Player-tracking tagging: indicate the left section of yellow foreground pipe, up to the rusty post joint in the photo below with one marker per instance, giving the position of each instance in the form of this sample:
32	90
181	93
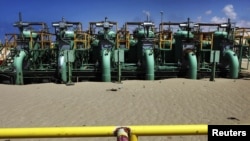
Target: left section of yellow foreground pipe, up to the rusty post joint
48	132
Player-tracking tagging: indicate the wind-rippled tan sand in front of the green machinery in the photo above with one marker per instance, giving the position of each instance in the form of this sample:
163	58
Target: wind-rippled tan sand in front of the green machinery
161	102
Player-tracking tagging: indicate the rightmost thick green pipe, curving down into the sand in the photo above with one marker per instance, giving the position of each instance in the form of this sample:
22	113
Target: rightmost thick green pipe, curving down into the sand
234	63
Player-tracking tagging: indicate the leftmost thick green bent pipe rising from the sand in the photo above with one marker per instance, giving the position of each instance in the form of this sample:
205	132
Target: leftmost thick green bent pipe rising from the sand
18	64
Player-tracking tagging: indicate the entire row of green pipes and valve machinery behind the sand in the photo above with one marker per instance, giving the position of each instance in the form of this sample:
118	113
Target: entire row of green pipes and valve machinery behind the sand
141	55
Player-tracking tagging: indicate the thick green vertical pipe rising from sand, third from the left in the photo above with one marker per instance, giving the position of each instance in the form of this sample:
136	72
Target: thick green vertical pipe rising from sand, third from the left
106	71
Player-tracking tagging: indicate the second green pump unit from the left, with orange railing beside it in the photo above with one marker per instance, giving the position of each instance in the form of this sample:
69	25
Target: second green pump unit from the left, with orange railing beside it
72	49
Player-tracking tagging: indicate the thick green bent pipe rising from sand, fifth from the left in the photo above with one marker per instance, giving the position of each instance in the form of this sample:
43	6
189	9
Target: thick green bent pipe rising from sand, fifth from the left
192	71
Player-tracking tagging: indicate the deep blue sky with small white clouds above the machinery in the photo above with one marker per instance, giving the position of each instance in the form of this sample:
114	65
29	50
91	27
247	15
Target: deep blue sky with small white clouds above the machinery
121	11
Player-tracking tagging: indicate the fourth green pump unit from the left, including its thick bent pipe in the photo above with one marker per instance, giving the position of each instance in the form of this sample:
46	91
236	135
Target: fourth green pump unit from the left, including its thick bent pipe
136	50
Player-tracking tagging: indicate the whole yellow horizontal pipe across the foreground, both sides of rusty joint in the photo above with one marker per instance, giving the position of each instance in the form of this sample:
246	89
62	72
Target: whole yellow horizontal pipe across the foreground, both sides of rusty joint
103	131
